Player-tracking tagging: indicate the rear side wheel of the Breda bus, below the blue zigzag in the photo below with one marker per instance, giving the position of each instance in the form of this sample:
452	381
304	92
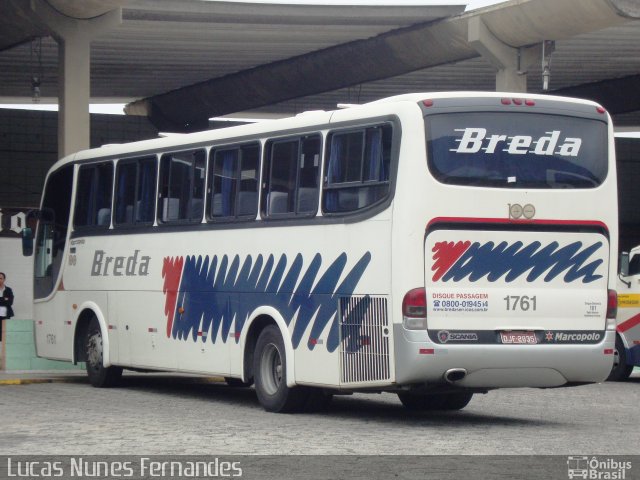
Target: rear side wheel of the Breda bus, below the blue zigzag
269	370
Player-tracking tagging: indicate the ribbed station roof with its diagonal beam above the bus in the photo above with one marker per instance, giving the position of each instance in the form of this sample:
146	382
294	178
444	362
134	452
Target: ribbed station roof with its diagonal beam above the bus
180	62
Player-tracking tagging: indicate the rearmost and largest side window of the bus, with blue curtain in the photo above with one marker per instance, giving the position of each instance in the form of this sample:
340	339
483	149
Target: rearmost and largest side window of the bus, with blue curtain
357	168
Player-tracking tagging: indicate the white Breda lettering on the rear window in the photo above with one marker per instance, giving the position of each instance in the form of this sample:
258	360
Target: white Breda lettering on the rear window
474	140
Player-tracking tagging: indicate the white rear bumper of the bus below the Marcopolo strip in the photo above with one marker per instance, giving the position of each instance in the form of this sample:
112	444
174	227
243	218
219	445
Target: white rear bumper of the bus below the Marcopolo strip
420	361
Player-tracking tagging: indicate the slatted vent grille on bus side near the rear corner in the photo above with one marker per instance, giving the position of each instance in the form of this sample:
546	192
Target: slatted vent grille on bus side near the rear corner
364	339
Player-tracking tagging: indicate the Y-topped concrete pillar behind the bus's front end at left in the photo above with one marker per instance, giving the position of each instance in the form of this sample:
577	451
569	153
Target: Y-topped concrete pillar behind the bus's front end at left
74	79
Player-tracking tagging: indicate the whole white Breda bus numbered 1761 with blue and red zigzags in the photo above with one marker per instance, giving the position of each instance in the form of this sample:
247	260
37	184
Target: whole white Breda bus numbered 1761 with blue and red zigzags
432	245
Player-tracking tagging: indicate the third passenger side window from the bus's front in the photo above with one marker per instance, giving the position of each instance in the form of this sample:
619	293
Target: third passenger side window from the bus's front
182	176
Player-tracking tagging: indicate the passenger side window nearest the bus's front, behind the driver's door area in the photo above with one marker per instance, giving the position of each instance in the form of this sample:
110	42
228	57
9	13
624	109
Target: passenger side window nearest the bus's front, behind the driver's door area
93	197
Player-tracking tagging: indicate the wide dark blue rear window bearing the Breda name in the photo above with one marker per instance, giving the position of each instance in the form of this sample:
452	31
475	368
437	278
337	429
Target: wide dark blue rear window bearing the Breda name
517	150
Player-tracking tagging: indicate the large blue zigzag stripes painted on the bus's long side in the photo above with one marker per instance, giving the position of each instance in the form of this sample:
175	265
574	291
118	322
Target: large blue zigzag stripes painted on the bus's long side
218	291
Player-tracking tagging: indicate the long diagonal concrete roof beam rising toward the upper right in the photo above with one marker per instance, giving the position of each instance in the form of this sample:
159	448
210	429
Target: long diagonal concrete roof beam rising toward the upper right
517	23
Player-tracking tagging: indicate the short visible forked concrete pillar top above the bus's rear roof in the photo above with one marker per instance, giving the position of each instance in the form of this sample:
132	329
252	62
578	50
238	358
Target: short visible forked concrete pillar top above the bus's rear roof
511	63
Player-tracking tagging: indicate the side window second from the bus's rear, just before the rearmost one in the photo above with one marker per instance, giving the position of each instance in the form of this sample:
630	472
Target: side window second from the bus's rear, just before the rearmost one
291	180
